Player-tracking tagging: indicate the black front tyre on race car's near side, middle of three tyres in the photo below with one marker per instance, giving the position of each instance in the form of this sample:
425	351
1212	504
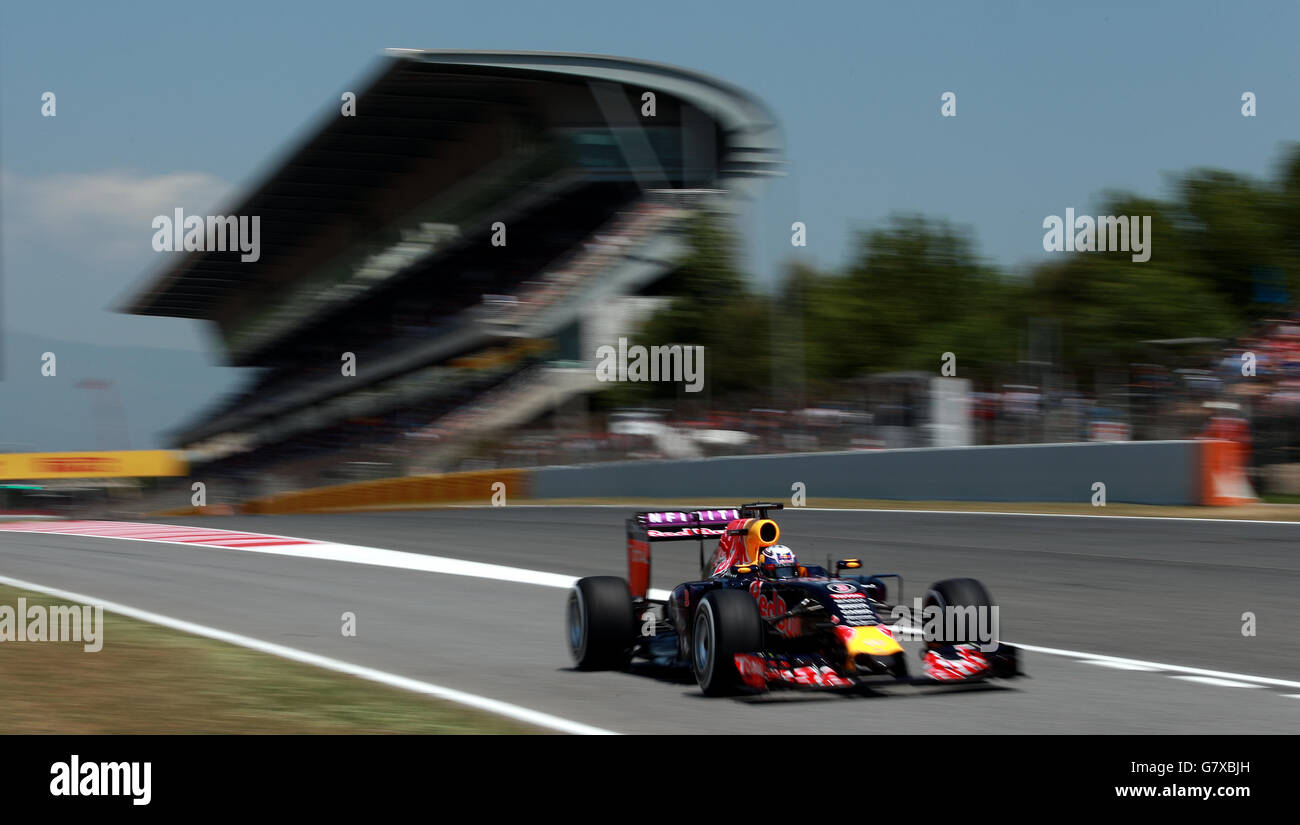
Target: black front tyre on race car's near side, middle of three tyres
727	623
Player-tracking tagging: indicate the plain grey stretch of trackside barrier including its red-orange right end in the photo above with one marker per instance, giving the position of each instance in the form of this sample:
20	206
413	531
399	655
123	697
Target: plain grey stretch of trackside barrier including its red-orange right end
1133	472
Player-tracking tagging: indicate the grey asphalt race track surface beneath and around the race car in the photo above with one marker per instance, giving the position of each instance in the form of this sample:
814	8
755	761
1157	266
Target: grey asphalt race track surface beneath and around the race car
1163	592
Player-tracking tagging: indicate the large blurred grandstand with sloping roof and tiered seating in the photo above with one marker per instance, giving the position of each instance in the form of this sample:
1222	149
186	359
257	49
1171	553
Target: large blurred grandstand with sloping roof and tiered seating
380	238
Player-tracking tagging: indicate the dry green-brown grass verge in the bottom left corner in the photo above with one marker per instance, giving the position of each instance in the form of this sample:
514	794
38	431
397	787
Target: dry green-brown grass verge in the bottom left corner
153	680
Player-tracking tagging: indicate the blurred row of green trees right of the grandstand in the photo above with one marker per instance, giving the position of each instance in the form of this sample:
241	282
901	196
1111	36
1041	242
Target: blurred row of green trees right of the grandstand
1225	254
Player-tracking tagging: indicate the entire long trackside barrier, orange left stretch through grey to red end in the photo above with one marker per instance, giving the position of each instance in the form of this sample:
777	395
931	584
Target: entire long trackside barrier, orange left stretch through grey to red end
1177	474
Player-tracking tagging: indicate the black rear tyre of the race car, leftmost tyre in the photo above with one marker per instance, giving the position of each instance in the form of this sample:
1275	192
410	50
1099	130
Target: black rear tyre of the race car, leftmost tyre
601	623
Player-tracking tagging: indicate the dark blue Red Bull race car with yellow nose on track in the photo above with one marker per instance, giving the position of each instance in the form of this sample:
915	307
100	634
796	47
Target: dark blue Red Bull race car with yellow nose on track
760	619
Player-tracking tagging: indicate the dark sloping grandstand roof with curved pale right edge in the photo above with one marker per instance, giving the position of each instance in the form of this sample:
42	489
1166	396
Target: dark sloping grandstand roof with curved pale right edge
421	110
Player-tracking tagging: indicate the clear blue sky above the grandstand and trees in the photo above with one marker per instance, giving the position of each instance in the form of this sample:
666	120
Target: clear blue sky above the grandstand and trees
164	106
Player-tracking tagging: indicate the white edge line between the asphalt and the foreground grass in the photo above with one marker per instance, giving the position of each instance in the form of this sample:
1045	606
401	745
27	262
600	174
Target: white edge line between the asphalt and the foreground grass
483	704
